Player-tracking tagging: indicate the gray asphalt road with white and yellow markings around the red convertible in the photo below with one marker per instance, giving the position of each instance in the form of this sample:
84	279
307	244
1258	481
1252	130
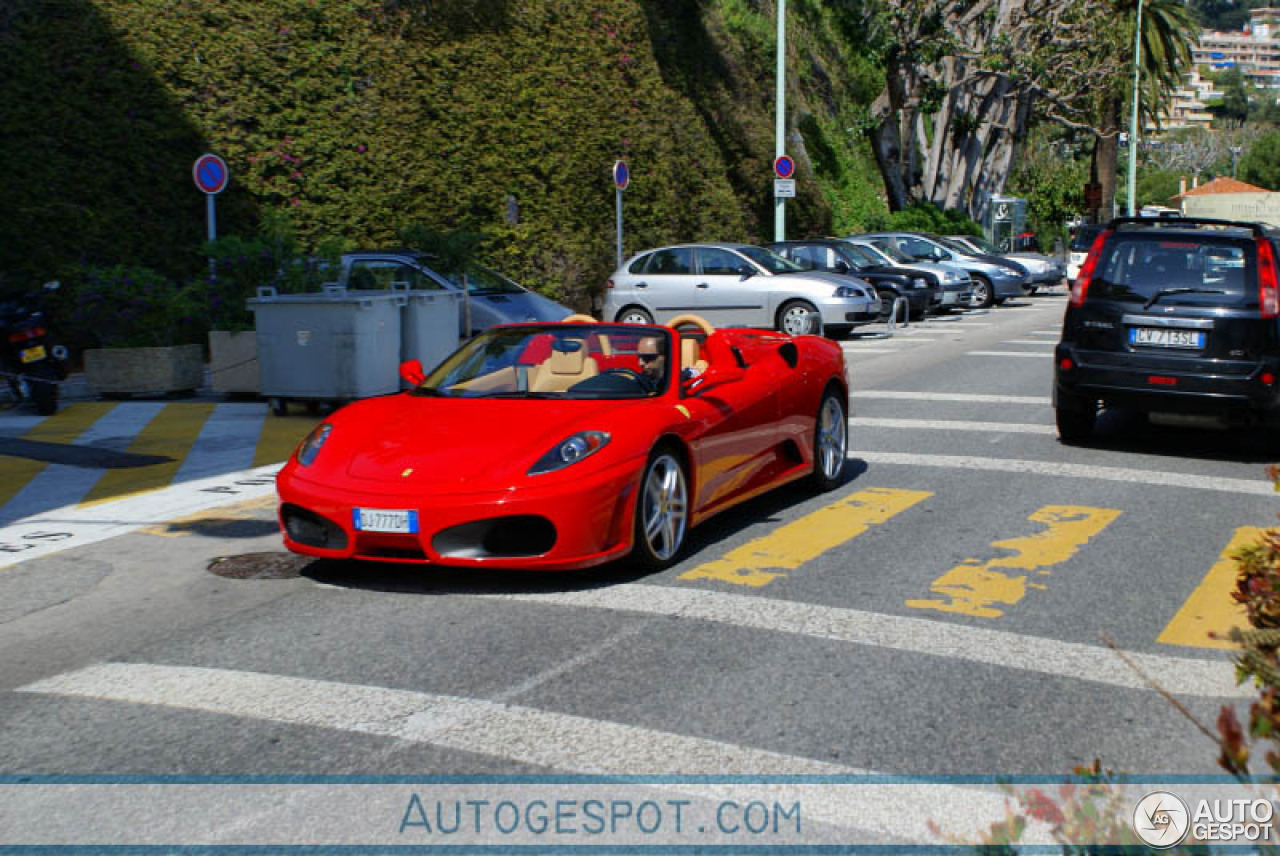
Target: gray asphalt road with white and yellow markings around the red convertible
947	611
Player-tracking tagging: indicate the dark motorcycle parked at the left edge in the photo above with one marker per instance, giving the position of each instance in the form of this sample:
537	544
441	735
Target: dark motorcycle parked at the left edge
30	363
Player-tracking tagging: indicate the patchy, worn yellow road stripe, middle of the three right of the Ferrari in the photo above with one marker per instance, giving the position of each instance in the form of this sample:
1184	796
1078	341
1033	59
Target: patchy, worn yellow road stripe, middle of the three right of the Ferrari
977	588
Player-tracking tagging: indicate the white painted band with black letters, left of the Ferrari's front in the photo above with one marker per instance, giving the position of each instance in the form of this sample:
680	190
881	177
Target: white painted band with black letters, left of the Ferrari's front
74	527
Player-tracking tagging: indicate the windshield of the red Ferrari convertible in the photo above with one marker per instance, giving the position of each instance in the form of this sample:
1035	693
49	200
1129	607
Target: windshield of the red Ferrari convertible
569	361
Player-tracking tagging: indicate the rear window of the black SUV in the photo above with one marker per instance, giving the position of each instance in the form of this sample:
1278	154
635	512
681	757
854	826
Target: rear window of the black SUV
1140	267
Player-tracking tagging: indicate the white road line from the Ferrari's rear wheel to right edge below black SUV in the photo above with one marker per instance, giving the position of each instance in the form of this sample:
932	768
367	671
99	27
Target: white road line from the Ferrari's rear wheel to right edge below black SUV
1252	487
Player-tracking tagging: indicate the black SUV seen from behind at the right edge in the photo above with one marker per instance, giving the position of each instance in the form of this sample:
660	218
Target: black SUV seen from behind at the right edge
1172	317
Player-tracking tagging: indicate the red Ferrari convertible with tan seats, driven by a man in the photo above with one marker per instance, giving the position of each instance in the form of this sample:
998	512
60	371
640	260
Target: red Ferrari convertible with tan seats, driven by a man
559	446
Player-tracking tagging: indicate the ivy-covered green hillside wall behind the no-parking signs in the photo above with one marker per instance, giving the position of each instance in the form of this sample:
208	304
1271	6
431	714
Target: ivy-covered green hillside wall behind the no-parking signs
356	118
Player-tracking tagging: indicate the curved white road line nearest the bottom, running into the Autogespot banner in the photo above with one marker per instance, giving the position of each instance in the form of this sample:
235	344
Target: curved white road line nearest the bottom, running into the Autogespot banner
546	739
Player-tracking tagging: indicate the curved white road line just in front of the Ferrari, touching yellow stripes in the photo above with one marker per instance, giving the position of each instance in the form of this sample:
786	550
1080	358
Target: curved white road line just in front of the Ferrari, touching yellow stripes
948	642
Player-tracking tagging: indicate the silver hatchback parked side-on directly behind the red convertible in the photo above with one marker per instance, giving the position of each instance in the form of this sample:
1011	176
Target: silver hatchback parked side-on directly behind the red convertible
734	285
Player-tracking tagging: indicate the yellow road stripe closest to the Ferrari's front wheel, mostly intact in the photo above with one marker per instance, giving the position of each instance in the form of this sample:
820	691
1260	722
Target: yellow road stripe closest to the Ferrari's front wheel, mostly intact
761	562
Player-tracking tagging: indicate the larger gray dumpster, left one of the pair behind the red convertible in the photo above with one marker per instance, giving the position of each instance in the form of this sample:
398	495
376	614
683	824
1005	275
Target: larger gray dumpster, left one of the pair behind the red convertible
327	347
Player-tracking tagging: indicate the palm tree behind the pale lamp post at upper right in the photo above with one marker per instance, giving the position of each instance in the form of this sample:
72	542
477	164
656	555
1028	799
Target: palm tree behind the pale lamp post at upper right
1168	30
